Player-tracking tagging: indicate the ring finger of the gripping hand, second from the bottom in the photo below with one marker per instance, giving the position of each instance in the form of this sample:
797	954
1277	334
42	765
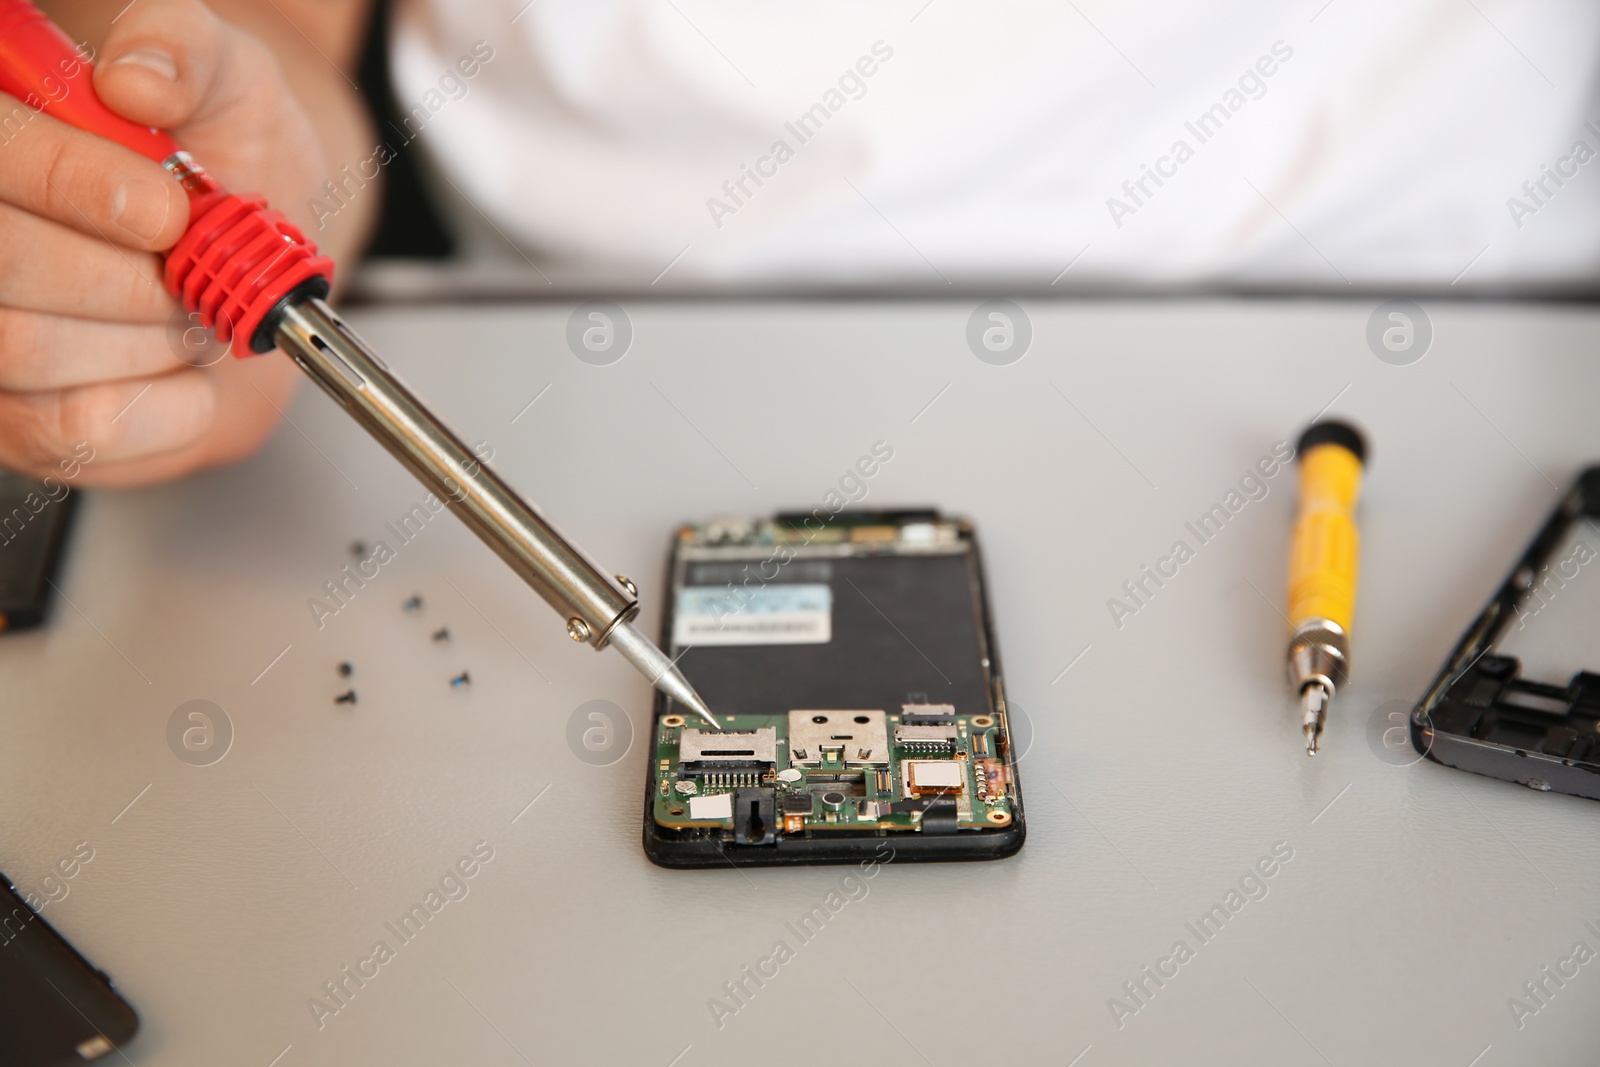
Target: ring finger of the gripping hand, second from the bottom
46	353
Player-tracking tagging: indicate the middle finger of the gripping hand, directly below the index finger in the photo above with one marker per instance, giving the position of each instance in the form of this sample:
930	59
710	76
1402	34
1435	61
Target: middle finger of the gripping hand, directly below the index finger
49	268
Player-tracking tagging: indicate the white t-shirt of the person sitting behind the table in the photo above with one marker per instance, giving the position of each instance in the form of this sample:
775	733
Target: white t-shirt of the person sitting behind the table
1311	145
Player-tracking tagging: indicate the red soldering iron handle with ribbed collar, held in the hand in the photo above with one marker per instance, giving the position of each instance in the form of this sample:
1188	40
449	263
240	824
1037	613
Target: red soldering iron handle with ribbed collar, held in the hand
239	262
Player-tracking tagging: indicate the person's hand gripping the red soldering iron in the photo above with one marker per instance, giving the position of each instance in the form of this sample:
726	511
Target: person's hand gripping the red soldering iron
92	348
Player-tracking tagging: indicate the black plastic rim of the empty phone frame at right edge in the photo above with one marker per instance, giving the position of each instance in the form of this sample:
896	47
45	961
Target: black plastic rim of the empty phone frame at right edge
1479	716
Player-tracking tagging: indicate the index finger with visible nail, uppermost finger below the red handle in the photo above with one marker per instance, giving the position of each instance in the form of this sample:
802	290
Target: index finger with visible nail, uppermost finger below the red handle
87	183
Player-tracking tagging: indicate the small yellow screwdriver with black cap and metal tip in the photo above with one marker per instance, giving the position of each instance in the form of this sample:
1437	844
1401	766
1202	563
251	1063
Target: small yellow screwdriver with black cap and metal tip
1324	561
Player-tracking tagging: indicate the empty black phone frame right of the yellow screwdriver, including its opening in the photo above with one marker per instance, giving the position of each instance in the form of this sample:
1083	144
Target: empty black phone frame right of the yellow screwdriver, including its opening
1482	714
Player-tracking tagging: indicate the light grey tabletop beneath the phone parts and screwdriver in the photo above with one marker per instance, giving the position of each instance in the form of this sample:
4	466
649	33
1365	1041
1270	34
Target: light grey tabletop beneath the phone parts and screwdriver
1164	761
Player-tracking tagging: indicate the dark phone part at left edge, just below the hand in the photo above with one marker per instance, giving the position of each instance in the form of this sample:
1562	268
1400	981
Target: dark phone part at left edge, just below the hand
34	522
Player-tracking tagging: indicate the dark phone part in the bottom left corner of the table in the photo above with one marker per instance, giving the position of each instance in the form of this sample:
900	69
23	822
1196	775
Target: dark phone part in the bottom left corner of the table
55	1007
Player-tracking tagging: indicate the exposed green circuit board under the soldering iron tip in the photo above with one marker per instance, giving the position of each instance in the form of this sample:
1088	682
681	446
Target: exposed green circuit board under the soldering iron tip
825	772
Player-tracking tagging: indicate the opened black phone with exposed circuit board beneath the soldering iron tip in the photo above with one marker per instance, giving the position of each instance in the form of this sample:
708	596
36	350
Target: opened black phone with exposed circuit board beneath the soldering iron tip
850	661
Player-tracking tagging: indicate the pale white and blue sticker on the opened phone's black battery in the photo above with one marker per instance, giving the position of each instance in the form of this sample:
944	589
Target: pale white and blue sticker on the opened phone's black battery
801	613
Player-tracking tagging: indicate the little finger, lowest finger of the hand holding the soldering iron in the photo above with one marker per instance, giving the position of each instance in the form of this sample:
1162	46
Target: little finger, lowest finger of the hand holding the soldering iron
121	422
